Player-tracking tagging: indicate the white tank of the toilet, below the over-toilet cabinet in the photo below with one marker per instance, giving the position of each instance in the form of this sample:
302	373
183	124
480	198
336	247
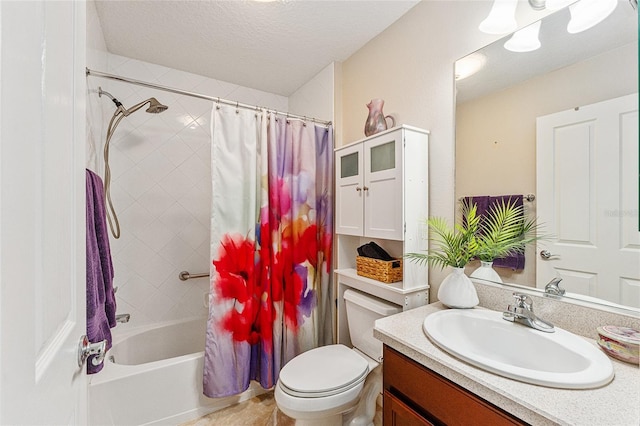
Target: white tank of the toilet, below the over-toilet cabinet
362	311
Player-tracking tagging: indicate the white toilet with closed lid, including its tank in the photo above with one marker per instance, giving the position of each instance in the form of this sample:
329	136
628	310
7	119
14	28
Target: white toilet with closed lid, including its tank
334	384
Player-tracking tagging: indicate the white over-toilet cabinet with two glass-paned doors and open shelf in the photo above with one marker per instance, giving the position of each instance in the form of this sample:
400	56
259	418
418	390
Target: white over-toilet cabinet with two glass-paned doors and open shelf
382	196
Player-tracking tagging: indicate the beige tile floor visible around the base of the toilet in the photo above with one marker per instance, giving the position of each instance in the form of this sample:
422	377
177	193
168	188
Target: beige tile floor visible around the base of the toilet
258	411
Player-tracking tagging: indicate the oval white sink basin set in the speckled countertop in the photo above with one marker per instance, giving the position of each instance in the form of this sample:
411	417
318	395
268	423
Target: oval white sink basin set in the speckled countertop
482	338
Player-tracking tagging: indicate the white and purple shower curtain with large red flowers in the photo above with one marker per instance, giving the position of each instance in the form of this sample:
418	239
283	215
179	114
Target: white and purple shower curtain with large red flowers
271	241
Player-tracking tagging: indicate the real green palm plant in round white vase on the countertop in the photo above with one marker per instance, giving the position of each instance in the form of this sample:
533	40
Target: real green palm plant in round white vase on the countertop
454	247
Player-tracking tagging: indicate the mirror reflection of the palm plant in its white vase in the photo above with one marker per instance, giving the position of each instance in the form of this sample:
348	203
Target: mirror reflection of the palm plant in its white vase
504	231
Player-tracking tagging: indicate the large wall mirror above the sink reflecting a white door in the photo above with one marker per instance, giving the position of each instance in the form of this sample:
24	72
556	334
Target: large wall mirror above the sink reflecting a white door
499	111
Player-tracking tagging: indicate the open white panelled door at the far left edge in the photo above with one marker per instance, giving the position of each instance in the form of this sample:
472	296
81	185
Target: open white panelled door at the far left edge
42	217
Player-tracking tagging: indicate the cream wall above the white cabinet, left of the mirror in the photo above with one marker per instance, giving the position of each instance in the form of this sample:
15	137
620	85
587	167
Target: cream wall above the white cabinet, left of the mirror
410	66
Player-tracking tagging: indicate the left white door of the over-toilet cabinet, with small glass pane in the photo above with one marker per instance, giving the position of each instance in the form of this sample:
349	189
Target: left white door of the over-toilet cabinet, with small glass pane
349	190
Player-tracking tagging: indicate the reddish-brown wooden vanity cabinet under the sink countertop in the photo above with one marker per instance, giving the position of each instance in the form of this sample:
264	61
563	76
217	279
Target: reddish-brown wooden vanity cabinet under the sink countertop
415	395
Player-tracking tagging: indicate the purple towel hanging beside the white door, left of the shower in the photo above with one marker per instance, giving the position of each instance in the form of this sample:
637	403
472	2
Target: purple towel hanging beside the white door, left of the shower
101	302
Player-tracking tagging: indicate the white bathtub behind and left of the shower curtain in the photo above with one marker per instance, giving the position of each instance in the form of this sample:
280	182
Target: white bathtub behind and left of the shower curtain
153	376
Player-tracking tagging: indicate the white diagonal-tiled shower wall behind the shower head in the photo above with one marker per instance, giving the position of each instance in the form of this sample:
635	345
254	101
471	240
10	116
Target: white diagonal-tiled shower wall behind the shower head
161	185
